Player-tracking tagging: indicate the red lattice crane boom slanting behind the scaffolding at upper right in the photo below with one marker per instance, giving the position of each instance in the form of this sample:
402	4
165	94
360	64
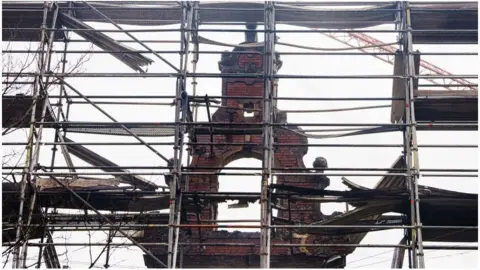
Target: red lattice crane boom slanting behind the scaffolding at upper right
369	44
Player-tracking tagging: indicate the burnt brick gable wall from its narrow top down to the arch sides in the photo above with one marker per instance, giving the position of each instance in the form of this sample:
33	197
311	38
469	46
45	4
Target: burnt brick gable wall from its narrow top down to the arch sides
285	157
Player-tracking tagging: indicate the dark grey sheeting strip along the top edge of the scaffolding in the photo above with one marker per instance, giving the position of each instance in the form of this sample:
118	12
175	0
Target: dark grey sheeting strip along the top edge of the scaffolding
425	17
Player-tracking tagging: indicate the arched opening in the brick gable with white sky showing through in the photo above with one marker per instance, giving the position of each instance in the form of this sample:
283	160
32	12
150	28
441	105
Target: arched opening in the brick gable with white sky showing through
238	210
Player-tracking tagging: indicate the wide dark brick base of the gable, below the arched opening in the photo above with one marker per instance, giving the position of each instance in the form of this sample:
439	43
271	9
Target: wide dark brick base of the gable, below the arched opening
223	249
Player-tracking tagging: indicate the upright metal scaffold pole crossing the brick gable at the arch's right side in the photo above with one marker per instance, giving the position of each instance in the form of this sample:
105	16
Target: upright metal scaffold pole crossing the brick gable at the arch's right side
268	60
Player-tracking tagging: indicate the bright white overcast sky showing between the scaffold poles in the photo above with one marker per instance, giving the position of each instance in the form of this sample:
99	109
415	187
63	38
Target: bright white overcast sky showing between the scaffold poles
299	65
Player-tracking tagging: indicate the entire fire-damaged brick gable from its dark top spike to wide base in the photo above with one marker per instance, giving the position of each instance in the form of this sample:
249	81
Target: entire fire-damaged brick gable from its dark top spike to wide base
211	248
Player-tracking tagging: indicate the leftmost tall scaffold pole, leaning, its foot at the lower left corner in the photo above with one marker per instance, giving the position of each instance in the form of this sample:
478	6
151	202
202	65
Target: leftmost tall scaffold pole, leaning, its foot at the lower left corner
20	261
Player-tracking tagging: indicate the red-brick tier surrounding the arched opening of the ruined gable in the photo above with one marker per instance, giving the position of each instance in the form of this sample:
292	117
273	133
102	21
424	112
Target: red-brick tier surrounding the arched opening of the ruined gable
291	157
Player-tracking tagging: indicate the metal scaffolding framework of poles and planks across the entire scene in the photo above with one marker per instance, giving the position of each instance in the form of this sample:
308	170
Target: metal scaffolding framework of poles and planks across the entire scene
42	188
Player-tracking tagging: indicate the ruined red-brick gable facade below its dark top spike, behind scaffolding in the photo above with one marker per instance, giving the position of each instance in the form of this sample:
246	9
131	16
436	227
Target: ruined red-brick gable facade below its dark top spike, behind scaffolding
286	157
